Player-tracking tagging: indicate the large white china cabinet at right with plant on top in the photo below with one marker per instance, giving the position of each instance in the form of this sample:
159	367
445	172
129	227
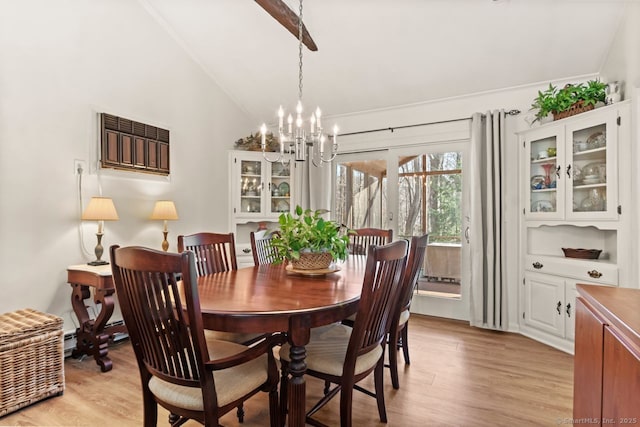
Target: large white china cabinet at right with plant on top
575	191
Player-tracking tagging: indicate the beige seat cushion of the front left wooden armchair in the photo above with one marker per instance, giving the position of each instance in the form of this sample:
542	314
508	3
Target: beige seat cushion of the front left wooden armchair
231	384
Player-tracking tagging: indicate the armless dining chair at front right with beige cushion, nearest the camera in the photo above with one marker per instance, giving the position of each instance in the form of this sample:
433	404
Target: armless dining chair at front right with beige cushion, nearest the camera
344	356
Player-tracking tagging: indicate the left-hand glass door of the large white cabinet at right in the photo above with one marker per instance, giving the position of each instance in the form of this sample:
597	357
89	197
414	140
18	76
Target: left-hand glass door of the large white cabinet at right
544	166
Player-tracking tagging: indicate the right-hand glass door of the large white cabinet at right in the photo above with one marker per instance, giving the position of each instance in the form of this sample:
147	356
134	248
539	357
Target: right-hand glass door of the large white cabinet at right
592	148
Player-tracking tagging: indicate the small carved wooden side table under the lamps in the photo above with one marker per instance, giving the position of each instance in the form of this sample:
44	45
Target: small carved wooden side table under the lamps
92	335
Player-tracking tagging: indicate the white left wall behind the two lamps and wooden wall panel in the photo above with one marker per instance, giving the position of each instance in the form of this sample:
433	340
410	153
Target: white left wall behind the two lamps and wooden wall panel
61	63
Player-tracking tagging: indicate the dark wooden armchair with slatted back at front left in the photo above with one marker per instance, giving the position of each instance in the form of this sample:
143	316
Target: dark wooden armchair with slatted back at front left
190	376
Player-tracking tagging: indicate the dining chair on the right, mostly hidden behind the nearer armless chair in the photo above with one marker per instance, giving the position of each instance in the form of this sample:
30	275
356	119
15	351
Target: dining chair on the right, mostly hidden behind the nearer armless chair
398	331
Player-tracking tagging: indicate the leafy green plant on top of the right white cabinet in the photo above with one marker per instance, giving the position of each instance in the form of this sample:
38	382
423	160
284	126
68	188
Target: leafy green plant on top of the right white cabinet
571	99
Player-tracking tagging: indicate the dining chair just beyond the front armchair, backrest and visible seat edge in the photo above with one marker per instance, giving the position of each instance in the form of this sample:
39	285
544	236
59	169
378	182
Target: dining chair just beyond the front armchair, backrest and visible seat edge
215	253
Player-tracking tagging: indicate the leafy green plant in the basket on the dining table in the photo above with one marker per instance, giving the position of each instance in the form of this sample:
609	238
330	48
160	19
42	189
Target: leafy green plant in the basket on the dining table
308	231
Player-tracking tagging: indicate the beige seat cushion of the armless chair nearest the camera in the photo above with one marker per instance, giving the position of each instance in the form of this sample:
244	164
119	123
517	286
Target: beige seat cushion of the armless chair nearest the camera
327	349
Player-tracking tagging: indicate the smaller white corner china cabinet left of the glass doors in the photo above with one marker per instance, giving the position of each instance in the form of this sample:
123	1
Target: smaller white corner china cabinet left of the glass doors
259	192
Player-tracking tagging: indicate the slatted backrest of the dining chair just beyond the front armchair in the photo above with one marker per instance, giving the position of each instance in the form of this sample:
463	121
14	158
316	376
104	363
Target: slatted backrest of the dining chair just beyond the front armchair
215	252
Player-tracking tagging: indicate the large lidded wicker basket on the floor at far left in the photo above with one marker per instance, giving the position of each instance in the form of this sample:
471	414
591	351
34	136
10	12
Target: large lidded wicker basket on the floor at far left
31	358
